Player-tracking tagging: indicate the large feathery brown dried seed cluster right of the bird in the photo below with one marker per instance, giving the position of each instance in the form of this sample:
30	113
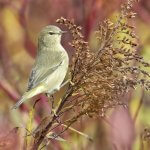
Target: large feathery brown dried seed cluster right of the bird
101	78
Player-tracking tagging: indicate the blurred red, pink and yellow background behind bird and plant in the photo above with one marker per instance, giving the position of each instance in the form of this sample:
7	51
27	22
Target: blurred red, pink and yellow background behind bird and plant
20	22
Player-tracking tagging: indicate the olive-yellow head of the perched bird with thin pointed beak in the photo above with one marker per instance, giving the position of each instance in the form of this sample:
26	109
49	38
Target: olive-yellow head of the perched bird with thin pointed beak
50	35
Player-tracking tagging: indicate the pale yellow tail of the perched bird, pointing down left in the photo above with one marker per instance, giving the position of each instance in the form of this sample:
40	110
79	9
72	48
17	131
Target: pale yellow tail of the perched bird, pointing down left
28	95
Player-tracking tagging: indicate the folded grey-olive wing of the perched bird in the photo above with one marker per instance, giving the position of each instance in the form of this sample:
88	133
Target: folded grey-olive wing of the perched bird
41	71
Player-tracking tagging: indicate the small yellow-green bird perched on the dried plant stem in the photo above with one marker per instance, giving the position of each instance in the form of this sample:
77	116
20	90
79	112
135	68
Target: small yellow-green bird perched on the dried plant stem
50	67
